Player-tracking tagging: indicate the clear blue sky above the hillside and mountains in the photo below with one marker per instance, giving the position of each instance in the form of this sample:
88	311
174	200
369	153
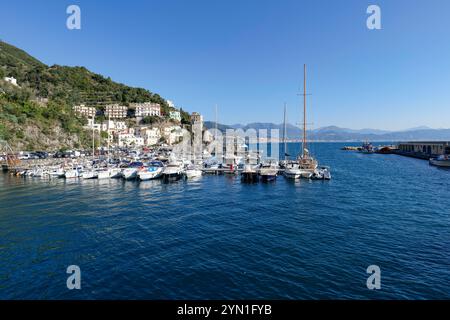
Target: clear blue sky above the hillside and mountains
247	55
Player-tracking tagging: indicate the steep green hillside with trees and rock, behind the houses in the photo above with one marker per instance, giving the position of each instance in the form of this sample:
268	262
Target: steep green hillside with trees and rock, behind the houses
38	114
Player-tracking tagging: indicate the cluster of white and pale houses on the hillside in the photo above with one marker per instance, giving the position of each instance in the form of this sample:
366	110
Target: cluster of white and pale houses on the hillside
138	134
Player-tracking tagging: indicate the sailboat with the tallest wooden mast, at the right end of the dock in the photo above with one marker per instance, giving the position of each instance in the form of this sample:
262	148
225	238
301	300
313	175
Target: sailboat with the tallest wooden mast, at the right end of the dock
306	166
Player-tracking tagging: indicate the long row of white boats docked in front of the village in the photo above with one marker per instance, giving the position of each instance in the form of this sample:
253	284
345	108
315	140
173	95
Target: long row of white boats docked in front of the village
174	169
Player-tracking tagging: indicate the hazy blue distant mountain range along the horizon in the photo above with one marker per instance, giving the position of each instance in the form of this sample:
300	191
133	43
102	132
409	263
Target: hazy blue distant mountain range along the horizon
334	133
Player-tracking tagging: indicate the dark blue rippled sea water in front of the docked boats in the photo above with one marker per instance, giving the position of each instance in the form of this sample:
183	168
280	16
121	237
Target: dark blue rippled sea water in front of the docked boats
217	238
